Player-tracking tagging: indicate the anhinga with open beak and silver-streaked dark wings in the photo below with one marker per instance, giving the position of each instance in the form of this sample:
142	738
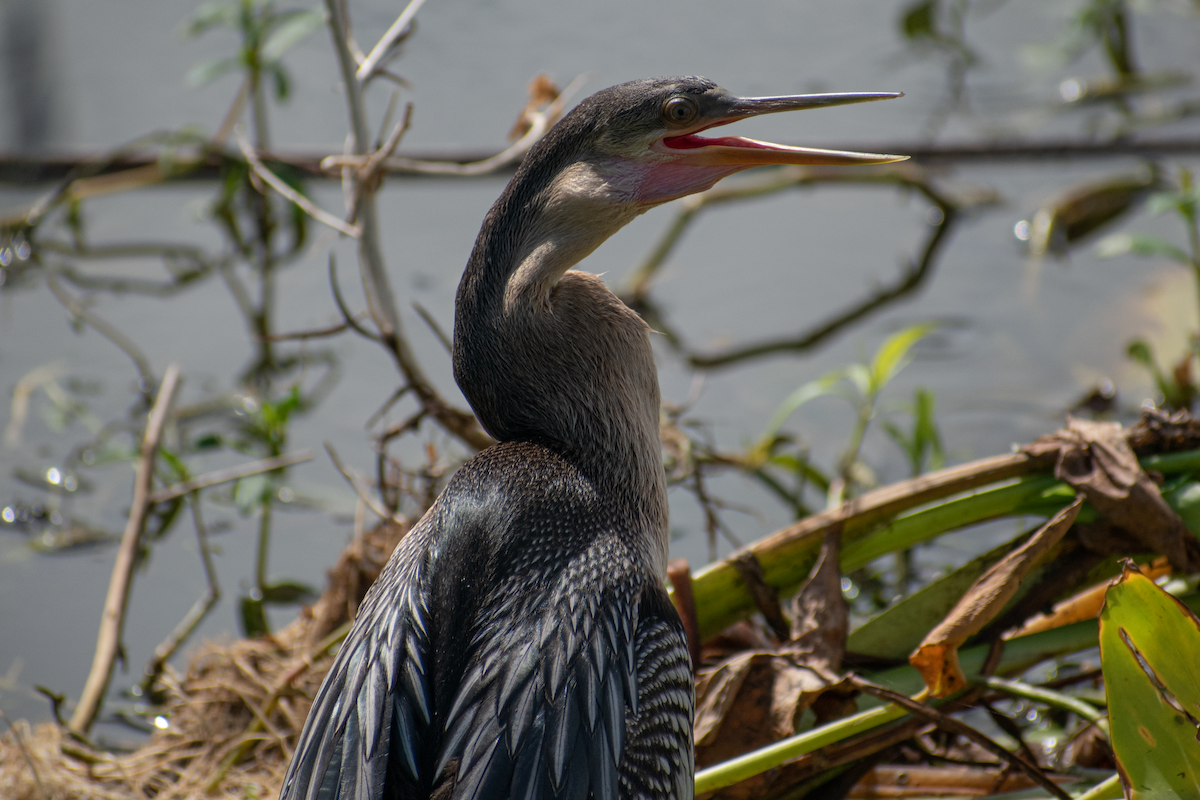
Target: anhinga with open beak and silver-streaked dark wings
520	642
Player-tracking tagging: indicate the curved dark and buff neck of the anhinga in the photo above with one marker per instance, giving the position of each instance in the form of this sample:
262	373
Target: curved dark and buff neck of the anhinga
553	357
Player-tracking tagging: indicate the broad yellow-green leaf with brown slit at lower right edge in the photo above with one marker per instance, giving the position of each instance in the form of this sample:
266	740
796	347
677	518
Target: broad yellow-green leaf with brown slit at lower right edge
1149	647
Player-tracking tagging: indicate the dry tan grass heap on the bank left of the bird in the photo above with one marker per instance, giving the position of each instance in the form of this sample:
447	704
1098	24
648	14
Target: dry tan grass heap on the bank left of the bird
235	715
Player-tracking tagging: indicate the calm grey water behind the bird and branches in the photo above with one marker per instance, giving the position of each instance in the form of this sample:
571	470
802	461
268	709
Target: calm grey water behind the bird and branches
1019	342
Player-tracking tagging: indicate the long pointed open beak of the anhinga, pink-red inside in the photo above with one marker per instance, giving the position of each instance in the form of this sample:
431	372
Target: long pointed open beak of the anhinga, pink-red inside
740	152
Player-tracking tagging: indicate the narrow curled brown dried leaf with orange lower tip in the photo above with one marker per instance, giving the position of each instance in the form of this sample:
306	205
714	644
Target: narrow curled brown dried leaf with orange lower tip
938	657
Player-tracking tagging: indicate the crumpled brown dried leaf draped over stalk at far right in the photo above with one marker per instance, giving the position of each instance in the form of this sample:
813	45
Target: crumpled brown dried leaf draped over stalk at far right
1096	459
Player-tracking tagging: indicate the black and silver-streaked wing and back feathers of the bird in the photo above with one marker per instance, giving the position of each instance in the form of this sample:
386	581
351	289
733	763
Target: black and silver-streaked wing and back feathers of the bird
562	672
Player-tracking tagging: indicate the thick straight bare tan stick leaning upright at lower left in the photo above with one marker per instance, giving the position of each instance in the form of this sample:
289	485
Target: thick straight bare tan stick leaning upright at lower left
113	619
